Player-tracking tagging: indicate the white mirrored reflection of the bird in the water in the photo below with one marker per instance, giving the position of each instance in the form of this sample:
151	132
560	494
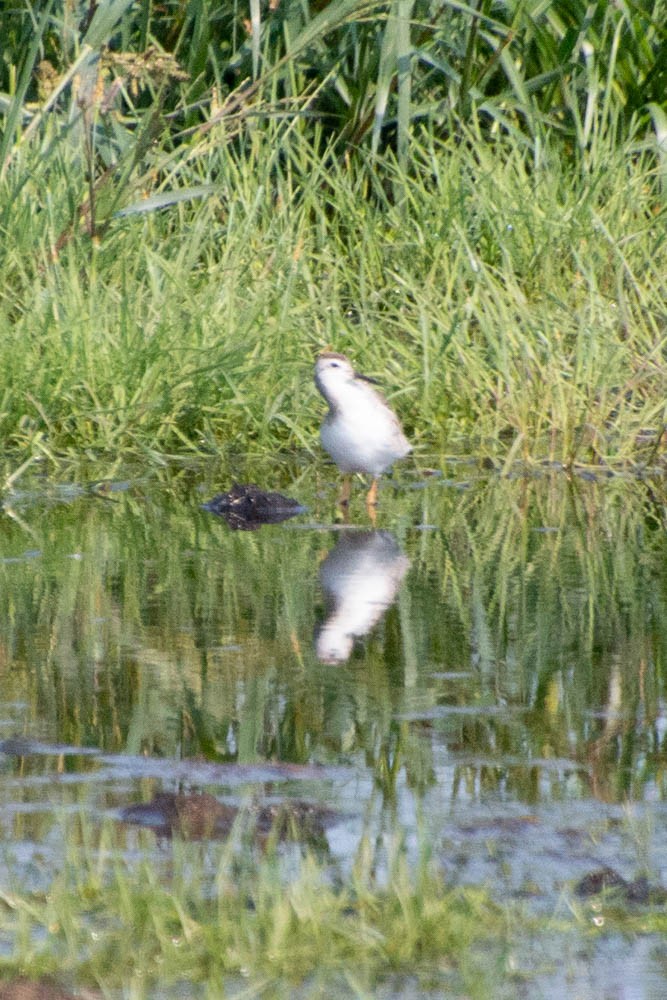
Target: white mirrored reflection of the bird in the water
360	578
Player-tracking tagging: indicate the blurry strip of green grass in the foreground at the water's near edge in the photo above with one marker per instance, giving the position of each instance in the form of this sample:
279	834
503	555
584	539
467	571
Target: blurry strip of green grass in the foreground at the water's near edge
208	919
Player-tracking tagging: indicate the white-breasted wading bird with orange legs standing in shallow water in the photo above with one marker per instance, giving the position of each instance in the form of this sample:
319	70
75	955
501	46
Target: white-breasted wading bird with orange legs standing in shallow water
360	430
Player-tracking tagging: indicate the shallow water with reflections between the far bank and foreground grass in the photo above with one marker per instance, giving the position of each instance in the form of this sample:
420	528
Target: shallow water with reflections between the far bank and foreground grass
488	662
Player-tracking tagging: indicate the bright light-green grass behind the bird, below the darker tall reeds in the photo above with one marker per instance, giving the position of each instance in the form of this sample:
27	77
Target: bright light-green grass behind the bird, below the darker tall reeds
504	299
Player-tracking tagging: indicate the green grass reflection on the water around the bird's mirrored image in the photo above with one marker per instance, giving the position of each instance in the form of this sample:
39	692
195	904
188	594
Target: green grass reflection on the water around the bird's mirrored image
173	635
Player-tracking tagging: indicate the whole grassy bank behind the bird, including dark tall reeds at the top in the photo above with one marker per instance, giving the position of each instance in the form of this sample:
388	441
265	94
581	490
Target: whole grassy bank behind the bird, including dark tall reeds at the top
469	201
